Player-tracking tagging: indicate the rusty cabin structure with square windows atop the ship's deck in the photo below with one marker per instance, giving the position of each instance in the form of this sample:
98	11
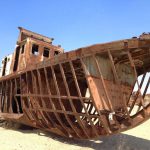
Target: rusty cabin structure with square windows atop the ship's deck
31	48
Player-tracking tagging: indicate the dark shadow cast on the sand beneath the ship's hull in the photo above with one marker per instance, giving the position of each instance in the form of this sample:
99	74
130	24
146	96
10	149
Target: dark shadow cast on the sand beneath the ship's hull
115	142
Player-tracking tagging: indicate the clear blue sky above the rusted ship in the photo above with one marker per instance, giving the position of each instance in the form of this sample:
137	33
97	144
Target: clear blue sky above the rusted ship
73	23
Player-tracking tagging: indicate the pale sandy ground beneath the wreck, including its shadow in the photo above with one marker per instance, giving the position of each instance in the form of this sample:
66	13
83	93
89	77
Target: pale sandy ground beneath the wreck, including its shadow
135	139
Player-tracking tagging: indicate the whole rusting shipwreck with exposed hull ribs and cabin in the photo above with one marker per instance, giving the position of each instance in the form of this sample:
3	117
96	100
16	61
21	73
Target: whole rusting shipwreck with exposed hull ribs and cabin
86	93
